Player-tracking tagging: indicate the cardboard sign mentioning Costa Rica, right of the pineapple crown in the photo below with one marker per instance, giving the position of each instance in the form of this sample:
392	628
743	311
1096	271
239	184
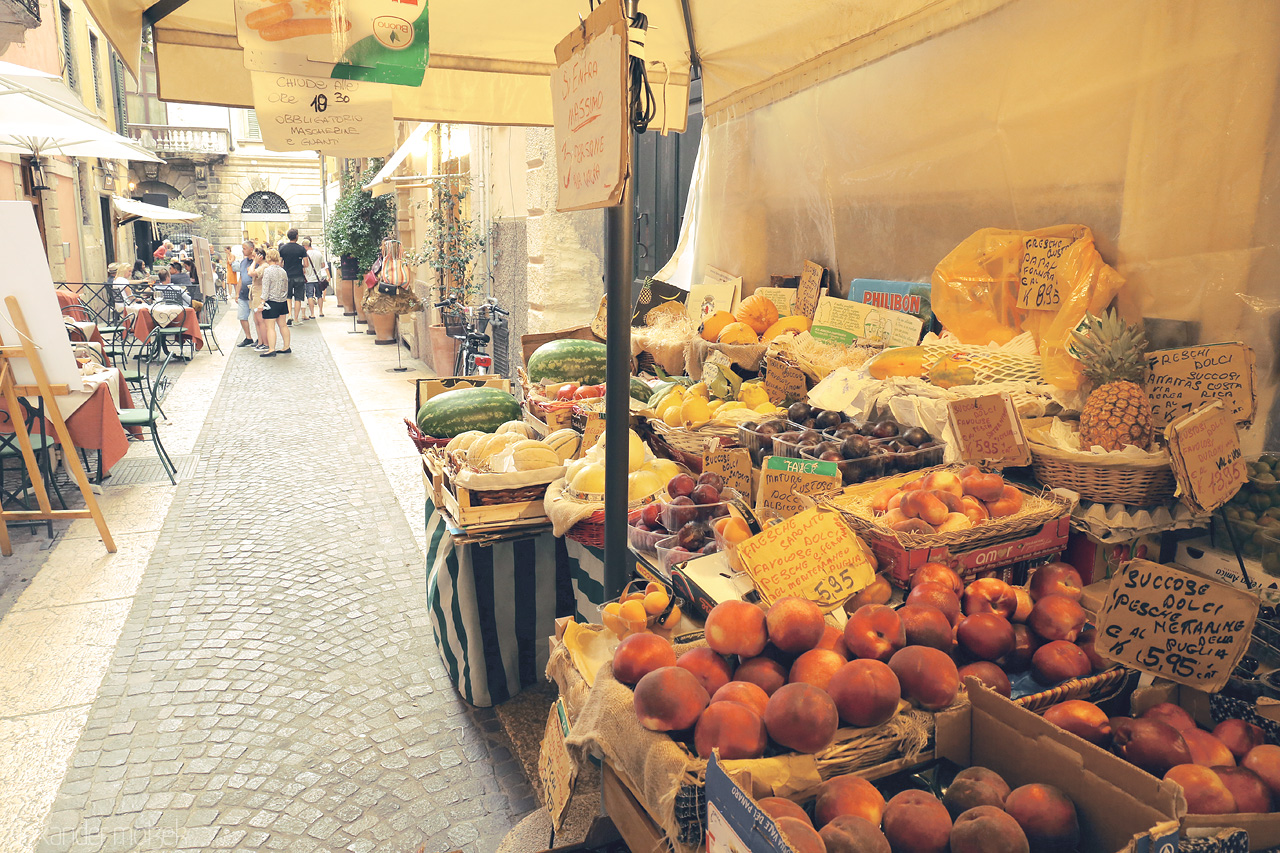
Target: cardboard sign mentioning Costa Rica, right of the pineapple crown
1182	381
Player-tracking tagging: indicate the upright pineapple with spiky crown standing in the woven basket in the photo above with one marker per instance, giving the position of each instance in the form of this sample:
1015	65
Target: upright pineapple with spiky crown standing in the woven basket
1114	358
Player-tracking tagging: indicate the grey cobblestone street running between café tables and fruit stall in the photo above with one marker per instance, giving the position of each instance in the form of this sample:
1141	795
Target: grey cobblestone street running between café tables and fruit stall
276	686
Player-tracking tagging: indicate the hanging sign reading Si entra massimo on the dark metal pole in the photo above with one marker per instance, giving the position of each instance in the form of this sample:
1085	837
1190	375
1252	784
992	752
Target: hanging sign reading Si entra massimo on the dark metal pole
593	143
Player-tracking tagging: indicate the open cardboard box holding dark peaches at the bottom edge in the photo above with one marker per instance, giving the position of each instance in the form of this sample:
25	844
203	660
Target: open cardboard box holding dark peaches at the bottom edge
1121	808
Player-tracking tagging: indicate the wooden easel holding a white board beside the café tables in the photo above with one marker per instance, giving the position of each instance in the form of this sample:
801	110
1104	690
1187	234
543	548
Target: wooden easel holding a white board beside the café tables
12	391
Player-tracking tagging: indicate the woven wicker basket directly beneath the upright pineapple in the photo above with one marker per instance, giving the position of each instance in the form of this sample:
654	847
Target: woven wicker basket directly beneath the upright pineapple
1096	478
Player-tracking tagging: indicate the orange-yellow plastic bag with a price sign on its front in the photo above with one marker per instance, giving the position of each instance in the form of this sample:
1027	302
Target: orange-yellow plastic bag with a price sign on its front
999	284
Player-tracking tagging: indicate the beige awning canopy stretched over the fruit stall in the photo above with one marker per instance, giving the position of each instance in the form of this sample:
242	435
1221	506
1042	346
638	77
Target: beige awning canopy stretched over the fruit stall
491	61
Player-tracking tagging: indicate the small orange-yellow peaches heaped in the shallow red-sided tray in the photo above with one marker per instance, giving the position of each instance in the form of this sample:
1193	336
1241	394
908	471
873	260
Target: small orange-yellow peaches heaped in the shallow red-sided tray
947	501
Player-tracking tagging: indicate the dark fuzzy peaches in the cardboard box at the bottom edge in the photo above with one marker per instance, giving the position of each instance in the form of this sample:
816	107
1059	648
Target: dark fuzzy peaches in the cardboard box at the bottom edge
979	814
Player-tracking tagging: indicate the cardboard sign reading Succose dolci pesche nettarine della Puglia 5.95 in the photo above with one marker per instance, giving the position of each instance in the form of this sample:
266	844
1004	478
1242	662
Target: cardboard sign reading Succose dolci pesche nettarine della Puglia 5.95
1176	624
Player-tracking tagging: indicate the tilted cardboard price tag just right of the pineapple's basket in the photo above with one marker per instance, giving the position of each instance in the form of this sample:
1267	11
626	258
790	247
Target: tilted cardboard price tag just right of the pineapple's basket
1205	451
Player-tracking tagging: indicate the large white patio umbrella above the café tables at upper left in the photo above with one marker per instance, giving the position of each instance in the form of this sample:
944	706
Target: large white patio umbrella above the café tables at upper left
40	116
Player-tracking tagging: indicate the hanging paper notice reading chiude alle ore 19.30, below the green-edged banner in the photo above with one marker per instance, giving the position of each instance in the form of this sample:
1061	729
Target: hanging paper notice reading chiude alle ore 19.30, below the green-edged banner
339	117
